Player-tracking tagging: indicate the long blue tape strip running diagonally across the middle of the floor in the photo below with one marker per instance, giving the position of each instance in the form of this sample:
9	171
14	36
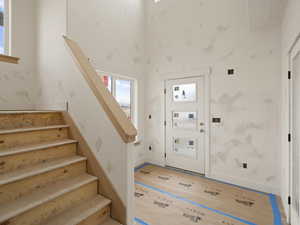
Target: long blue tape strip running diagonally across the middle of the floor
195	203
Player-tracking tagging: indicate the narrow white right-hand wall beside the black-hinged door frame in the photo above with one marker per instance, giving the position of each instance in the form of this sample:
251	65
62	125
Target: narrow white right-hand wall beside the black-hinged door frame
290	29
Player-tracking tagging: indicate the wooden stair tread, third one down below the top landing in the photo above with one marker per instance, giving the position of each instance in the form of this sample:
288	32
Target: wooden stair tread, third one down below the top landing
38	169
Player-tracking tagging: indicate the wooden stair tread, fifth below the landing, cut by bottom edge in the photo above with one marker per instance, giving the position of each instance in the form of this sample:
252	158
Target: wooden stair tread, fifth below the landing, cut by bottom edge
79	213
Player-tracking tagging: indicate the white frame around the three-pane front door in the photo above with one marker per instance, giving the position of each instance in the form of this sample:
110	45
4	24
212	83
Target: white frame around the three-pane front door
206	74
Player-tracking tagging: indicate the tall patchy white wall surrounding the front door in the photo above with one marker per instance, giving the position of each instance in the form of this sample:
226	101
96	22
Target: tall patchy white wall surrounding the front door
185	37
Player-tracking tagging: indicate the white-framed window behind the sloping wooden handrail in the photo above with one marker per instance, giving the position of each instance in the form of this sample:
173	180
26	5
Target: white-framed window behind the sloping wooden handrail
123	89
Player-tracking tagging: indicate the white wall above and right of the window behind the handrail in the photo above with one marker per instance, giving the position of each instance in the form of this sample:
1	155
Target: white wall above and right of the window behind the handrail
112	34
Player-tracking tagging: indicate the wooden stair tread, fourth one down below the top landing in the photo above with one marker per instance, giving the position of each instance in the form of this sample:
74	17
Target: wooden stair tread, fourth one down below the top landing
39	197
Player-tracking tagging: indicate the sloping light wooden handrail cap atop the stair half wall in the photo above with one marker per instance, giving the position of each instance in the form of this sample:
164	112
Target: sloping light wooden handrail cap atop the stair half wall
123	125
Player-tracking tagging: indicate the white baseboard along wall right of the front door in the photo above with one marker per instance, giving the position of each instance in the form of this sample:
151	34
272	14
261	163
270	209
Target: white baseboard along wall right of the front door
245	183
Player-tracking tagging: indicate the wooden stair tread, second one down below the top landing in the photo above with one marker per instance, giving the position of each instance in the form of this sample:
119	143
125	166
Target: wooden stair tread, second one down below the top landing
30	148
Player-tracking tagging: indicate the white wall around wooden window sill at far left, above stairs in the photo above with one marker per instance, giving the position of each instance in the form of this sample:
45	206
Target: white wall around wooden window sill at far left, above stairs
18	82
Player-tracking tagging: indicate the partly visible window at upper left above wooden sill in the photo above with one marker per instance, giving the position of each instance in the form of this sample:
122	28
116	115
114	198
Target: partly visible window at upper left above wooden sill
4	26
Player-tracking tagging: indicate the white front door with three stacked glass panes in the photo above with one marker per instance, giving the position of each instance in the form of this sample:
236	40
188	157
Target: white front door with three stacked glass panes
185	124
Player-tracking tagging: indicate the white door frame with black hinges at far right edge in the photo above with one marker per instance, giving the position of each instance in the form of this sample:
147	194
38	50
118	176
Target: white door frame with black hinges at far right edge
291	55
